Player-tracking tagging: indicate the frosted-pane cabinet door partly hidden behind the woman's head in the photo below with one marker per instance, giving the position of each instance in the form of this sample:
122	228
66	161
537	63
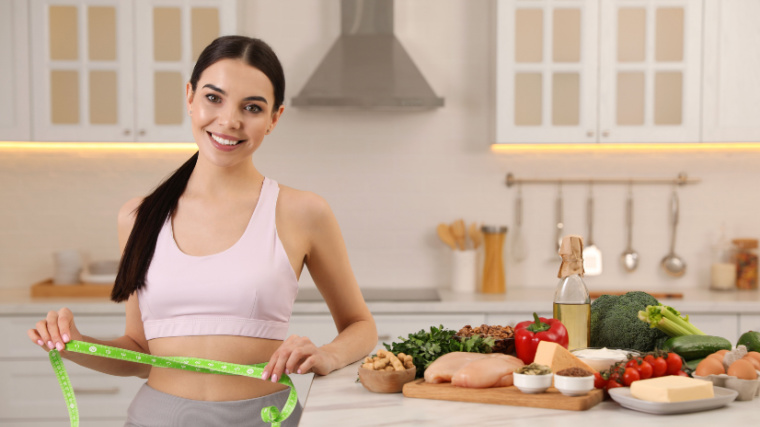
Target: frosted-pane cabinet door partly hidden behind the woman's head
171	36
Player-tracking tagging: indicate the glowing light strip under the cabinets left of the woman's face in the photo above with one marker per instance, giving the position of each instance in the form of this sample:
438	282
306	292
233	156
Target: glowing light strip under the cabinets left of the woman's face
102	146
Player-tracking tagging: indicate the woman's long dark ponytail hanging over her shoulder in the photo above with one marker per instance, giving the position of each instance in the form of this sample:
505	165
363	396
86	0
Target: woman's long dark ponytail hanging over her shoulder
151	215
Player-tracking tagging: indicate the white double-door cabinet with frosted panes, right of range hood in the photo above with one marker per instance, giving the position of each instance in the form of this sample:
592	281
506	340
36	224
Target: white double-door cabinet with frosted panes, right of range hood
571	71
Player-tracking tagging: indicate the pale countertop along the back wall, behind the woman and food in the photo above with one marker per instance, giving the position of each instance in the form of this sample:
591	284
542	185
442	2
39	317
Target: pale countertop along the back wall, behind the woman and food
17	301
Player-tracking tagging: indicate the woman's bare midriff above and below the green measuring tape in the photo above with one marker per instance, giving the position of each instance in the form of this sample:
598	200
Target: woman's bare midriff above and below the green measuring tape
213	387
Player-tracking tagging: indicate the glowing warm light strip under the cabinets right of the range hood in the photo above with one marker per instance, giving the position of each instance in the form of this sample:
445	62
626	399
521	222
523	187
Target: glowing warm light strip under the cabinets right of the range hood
640	147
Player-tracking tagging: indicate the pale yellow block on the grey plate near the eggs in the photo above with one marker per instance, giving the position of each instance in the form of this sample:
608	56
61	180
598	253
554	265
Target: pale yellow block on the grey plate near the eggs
671	389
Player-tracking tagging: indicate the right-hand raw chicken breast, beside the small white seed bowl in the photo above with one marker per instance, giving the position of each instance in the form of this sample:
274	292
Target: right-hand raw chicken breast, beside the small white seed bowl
493	371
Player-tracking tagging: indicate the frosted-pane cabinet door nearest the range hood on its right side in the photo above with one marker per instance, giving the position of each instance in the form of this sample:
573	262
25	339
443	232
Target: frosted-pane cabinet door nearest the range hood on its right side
546	85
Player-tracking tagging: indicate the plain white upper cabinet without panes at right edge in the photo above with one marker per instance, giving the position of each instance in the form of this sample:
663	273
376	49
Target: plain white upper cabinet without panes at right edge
731	89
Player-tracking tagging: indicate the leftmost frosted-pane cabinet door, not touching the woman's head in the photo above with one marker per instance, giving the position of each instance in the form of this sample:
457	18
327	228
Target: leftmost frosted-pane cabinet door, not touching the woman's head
82	70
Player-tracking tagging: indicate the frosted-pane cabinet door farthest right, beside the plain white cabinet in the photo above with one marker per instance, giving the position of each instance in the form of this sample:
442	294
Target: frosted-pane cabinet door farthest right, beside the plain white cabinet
650	63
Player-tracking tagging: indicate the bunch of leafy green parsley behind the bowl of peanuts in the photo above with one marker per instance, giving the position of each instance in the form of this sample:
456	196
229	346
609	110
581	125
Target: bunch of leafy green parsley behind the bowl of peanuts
426	347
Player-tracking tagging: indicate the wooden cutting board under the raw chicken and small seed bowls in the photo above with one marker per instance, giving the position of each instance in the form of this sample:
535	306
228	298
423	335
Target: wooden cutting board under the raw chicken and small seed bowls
551	399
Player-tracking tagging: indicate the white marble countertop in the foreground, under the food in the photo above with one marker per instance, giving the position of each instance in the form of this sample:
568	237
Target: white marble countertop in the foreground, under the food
337	399
